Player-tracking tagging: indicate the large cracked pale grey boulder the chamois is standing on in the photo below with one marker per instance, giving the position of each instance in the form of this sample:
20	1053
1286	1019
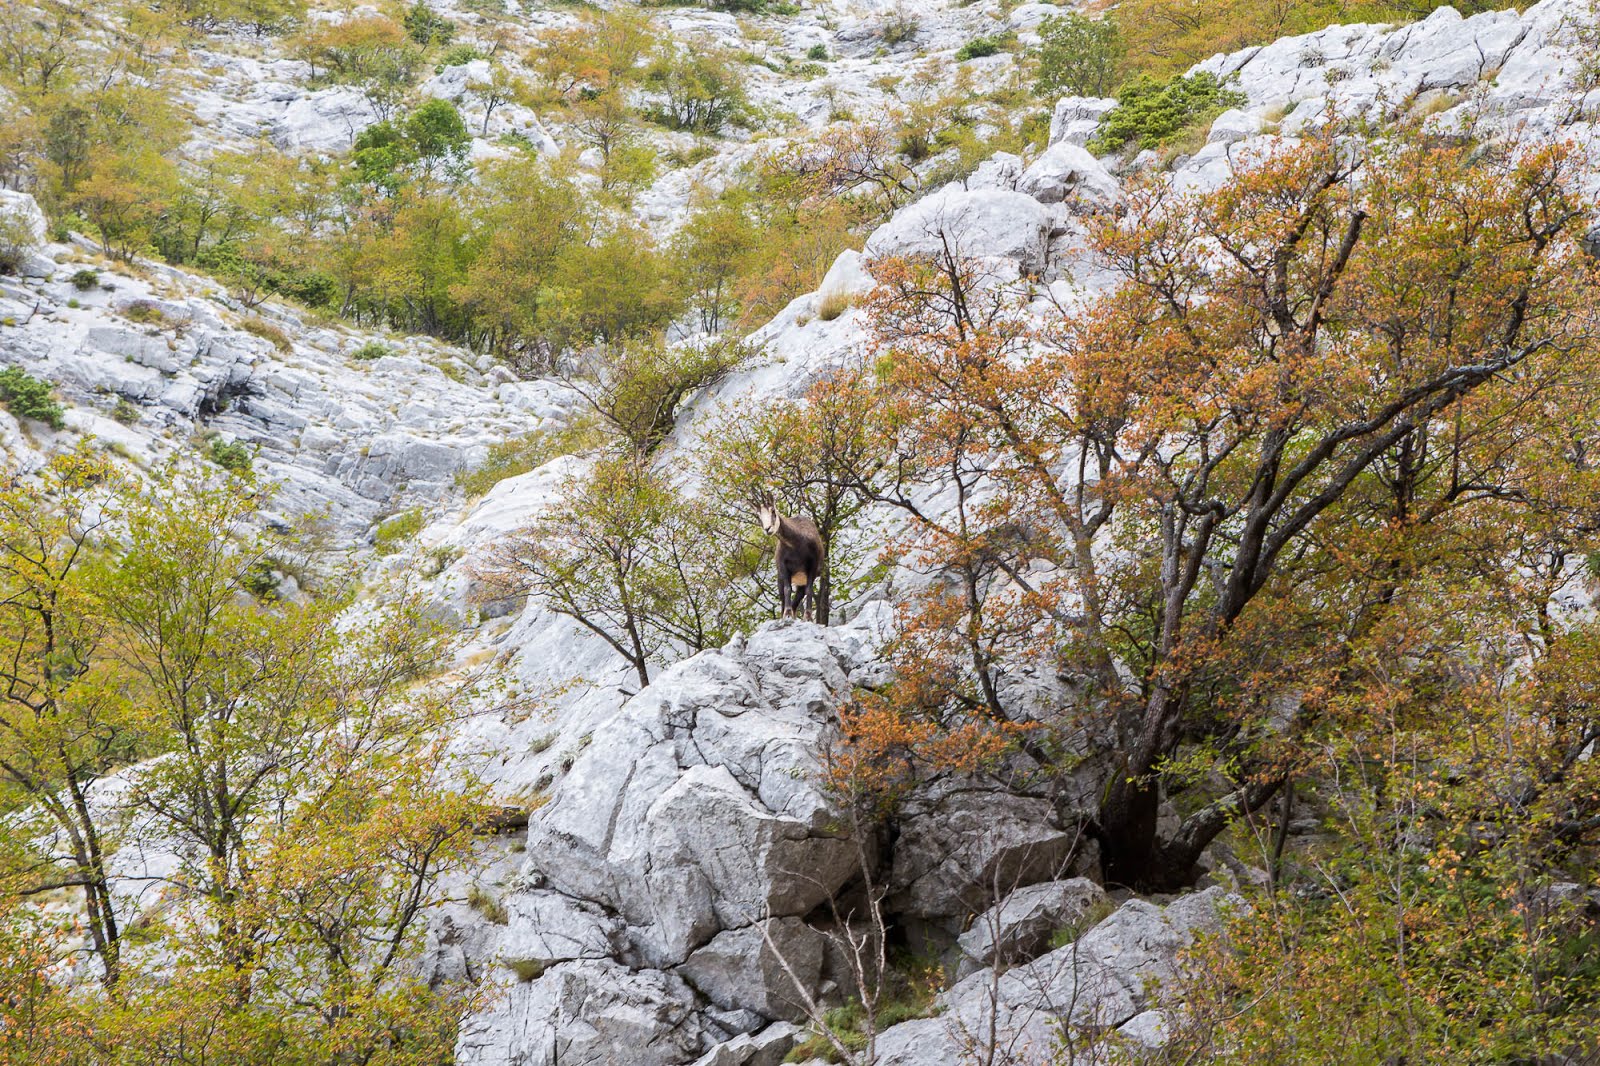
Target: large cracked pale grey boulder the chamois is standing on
698	808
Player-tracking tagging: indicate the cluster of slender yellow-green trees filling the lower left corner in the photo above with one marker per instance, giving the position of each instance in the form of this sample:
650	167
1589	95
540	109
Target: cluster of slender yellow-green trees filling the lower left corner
313	819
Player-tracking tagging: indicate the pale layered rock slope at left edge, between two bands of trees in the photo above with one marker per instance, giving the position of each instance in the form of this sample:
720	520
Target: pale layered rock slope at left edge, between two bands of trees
150	359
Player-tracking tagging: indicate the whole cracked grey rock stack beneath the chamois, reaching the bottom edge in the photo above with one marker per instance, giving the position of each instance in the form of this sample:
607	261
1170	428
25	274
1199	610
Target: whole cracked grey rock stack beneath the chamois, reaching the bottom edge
673	870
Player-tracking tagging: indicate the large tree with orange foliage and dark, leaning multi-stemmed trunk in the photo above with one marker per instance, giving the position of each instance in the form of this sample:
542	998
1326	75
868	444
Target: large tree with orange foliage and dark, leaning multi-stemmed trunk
1180	497
